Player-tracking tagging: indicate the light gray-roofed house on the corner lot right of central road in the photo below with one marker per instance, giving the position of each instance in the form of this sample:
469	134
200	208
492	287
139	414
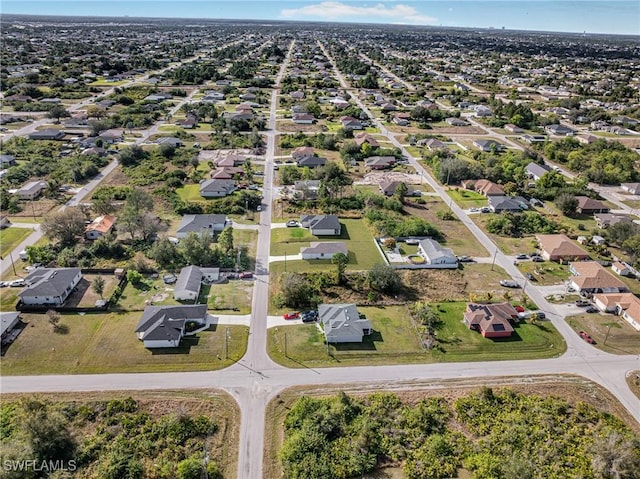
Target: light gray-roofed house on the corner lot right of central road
343	324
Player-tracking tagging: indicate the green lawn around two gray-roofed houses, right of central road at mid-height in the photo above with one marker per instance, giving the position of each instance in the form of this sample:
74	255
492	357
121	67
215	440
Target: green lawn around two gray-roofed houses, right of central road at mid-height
355	234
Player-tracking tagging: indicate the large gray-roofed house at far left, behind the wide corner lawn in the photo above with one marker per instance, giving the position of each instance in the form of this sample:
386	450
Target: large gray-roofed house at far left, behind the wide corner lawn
49	286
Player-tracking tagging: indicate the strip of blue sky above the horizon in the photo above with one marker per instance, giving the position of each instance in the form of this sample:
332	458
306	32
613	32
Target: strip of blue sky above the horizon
591	16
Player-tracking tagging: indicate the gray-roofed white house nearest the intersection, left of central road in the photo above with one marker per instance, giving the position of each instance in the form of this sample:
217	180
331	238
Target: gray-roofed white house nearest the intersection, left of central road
164	326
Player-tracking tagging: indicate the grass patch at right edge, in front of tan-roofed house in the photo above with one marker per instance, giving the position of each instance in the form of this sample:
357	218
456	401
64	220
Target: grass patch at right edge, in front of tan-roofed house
622	339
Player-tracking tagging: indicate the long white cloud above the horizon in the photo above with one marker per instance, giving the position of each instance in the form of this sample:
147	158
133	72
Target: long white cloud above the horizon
338	11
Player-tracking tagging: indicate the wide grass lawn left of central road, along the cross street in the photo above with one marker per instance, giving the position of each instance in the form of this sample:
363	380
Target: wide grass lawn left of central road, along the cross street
106	343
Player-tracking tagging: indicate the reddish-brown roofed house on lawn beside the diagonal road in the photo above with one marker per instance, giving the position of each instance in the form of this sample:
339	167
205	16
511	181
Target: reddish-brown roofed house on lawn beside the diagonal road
491	320
